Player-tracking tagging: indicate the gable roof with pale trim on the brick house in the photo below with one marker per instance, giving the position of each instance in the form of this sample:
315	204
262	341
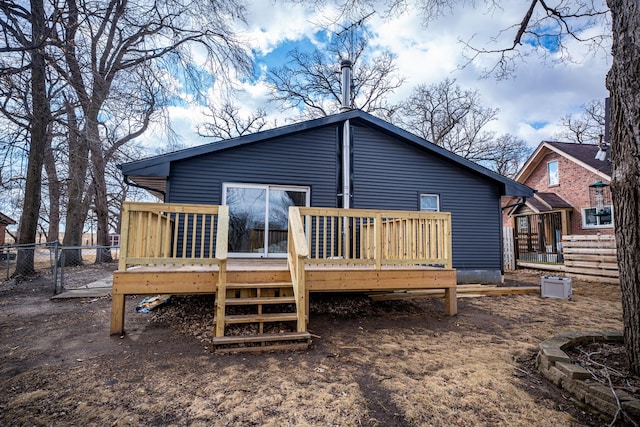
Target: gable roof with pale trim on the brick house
581	154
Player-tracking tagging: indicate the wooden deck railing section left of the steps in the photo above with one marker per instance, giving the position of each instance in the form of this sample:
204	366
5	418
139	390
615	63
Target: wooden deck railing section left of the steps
169	234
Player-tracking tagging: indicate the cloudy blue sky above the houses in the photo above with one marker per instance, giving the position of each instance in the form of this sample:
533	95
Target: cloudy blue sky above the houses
530	105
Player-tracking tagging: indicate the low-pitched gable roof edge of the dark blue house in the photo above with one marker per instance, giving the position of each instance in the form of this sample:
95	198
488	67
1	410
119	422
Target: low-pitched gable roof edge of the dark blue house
152	173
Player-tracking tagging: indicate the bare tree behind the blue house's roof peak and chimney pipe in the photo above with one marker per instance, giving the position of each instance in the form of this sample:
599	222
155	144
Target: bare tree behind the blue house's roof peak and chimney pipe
311	80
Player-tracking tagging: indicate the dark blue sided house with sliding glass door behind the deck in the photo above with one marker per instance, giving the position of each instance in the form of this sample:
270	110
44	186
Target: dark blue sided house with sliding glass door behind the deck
346	160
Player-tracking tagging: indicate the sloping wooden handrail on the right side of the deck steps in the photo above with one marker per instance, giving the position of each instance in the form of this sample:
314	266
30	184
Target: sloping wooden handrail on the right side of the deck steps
298	251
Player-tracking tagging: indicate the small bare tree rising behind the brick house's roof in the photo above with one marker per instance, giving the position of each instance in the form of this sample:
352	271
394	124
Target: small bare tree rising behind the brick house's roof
585	127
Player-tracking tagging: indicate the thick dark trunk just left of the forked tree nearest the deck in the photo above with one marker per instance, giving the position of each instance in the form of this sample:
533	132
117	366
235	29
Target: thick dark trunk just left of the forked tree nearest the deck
76	208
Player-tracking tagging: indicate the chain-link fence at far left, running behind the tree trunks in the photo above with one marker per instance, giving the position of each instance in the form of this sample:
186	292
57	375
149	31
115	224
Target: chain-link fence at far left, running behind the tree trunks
65	266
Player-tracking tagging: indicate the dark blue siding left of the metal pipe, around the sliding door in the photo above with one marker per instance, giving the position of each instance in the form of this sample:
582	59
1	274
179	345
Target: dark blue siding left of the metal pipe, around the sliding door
304	159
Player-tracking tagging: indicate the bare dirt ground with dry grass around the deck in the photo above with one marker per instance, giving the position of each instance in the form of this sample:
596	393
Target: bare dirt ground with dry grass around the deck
394	363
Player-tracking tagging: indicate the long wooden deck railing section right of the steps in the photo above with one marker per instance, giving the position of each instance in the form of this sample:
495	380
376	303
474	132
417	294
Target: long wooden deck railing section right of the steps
376	237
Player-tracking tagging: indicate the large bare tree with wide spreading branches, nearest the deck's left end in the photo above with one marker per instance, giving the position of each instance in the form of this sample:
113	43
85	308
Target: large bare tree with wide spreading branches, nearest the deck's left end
115	50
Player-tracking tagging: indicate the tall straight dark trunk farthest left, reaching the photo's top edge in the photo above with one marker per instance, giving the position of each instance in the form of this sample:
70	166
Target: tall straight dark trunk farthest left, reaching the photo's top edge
39	124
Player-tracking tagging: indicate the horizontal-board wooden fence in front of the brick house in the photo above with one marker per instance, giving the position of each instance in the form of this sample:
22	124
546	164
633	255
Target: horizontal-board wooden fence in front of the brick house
591	258
